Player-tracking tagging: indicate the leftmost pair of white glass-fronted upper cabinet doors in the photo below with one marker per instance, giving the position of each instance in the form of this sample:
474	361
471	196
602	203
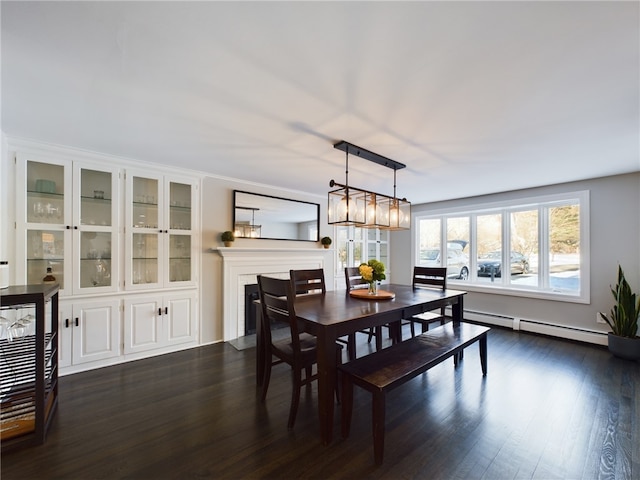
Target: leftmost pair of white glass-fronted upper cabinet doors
67	221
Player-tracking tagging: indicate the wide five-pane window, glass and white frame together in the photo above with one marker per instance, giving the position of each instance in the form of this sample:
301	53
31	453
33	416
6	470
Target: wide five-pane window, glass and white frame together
536	247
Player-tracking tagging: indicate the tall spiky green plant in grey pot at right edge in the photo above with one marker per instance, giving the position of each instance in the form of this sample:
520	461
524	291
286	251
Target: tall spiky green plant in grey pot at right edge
623	320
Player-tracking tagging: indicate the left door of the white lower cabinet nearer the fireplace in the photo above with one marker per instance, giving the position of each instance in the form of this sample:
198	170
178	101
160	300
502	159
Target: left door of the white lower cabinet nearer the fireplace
142	325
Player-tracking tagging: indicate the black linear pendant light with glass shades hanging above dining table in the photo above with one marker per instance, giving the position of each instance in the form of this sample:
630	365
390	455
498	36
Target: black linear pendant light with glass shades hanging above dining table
354	206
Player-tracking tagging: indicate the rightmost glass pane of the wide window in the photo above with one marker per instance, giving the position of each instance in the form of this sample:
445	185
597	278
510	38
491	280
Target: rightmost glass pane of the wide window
564	248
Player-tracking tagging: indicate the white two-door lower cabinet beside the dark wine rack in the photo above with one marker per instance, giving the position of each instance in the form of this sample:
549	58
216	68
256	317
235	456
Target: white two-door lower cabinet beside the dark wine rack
89	332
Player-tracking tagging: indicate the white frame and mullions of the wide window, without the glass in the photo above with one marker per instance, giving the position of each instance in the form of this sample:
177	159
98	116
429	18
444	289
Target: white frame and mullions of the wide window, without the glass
503	286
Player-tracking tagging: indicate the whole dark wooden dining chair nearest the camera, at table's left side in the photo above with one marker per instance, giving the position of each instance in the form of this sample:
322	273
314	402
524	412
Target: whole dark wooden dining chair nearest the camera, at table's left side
298	349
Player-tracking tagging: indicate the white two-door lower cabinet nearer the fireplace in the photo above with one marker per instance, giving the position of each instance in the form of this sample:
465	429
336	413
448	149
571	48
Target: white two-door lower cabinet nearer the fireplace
153	322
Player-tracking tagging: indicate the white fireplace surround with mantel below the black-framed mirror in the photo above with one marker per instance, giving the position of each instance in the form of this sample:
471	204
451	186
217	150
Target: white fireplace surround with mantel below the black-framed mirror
241	266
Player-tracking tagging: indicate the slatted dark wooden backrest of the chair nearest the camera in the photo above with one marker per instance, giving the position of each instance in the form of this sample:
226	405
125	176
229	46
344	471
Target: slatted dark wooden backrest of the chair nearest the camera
276	301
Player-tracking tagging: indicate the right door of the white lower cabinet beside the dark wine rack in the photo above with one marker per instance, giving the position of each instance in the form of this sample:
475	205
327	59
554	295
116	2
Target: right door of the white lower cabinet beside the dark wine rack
97	333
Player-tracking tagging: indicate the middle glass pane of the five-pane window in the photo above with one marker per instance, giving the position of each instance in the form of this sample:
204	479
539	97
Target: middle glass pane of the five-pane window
489	239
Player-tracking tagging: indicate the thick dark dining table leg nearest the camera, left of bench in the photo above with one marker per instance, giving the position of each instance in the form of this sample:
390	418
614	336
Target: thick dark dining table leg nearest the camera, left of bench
326	383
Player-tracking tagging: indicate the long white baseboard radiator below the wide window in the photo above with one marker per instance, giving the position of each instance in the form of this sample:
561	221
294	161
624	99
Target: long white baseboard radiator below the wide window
537	326
